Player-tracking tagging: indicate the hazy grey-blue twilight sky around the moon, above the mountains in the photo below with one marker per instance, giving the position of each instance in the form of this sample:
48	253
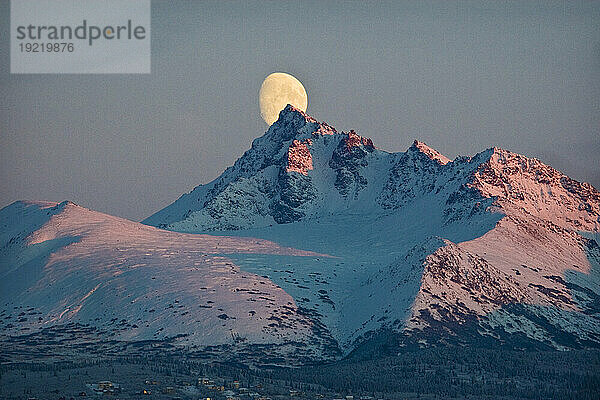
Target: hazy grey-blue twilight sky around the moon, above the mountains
460	76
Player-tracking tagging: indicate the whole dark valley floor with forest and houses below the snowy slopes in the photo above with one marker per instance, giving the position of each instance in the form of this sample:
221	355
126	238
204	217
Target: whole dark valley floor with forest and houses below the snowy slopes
442	373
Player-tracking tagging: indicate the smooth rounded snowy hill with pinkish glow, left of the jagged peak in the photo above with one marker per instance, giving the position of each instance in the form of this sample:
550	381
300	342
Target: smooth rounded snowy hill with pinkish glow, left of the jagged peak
63	264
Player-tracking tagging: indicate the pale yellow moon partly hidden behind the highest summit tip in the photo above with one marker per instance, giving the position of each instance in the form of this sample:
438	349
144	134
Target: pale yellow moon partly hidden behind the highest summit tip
277	91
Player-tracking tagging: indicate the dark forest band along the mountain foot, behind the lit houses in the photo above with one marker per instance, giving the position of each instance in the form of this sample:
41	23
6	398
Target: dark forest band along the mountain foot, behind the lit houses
448	372
